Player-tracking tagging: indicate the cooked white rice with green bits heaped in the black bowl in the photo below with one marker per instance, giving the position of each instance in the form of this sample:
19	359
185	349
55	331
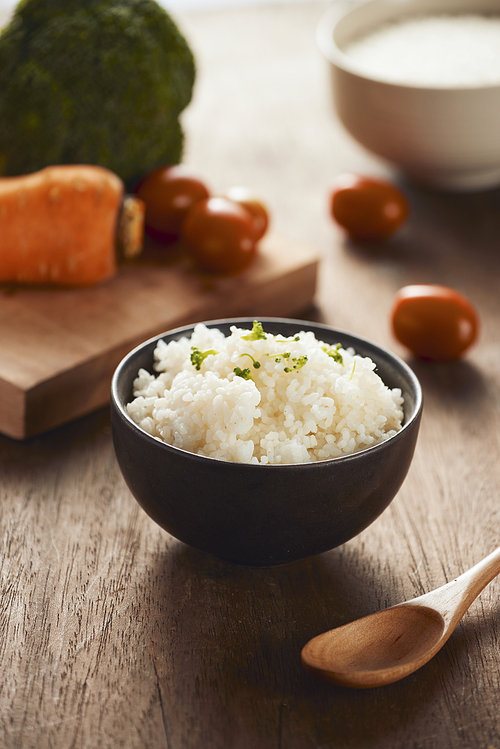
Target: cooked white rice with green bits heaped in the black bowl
319	409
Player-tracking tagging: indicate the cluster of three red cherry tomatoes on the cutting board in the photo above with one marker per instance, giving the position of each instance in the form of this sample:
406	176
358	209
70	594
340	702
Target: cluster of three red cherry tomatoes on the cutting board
221	232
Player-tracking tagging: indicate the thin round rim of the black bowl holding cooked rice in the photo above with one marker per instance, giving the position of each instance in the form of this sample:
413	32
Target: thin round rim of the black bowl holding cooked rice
185	329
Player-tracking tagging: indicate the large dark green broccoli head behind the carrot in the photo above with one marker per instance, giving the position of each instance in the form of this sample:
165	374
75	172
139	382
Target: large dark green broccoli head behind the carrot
92	82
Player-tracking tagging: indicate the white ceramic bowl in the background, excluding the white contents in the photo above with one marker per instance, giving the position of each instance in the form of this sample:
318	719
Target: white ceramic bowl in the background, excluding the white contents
448	138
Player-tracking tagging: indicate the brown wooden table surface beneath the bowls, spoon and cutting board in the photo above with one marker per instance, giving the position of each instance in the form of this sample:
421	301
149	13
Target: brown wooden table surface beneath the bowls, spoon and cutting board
115	634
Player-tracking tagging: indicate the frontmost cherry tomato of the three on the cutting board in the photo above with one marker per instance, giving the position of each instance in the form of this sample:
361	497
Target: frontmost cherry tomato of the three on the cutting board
219	234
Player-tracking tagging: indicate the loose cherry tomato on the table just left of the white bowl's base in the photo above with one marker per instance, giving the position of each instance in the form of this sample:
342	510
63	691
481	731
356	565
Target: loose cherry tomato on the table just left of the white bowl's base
369	209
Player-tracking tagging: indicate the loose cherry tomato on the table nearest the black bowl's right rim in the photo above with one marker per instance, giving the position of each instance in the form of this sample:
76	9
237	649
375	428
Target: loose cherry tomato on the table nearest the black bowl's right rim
434	322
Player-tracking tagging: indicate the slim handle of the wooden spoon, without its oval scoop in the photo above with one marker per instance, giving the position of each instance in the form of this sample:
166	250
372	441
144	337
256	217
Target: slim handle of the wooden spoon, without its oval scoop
454	598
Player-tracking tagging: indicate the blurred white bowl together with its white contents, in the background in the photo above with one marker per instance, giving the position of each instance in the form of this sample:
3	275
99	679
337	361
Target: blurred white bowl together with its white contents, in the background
418	83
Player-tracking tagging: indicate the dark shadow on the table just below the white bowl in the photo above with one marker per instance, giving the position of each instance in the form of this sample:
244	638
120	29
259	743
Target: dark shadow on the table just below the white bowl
449	238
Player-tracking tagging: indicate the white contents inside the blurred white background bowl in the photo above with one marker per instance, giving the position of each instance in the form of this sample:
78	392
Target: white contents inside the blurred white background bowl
437	51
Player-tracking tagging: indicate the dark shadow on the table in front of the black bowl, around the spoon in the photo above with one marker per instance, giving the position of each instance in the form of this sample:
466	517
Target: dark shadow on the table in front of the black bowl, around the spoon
234	647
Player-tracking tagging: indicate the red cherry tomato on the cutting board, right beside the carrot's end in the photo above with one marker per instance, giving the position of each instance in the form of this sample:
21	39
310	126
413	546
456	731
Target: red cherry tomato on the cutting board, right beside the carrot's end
169	192
